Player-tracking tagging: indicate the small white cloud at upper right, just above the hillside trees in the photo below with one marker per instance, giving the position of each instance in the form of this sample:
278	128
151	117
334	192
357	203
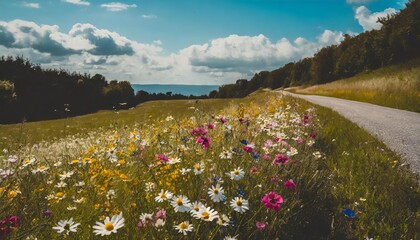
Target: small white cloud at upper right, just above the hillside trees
369	20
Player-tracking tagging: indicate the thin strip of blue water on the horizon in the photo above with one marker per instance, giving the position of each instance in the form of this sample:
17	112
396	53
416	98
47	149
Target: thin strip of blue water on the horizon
187	90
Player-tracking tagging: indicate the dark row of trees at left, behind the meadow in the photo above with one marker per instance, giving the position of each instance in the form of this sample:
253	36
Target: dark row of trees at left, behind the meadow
31	93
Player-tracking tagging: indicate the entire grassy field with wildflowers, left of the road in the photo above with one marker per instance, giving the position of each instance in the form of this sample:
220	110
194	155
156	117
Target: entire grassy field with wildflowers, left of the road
281	166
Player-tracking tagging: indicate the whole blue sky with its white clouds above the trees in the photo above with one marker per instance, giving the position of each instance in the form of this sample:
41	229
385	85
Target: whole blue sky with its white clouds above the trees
180	41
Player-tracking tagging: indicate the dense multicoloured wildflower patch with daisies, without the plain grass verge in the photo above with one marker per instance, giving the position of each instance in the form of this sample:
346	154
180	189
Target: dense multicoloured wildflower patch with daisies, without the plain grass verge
245	172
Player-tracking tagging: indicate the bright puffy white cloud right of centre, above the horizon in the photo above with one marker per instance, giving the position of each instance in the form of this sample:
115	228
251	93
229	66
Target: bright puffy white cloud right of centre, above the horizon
245	54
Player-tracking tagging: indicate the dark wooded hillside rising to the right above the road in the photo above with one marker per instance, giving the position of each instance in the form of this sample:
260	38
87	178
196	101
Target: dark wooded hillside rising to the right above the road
397	41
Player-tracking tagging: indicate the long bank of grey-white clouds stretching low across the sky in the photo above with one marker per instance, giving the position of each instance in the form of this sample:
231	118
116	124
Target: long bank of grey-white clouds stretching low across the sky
86	48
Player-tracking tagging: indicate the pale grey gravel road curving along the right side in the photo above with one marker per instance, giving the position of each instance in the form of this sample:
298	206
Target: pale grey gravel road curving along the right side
398	129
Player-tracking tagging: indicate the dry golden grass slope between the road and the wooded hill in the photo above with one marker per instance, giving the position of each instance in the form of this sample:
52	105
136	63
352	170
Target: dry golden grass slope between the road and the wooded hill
395	86
